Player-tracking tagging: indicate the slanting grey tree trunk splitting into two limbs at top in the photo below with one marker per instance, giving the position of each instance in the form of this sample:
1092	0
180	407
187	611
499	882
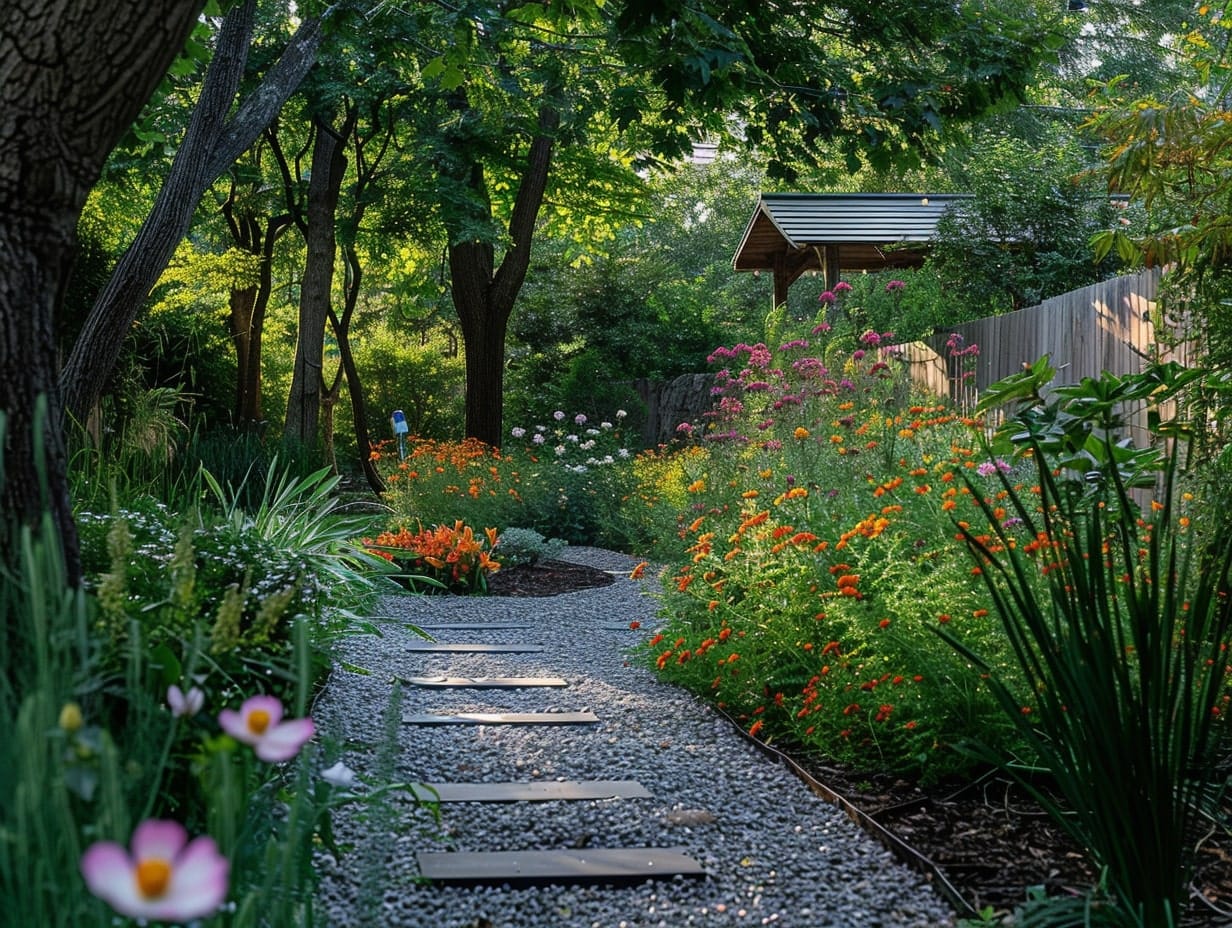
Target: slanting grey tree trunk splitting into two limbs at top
211	145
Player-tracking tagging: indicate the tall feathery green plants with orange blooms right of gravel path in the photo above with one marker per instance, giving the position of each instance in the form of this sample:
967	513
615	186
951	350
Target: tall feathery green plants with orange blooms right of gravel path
815	559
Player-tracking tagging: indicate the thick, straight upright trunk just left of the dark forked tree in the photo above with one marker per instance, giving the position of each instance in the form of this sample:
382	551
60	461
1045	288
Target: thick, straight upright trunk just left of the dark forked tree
316	291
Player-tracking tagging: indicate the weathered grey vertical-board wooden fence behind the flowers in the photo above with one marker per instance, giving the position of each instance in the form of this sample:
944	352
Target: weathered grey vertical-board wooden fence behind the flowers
1106	327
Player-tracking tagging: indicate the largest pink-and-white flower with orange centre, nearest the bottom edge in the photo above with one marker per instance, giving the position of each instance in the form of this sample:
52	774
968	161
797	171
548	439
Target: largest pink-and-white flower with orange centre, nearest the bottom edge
166	878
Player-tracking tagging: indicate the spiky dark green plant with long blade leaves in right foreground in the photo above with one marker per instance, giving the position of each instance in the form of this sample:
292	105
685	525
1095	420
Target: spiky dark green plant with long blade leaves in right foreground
1119	623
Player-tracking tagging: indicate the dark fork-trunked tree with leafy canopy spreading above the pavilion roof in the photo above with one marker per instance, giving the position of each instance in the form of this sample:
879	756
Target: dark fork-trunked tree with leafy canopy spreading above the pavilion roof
516	89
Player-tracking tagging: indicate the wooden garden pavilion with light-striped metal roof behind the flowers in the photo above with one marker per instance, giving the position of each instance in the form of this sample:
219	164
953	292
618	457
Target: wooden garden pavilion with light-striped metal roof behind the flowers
793	234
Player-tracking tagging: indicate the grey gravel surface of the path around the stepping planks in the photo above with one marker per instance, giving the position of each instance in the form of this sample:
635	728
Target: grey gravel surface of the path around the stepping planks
773	851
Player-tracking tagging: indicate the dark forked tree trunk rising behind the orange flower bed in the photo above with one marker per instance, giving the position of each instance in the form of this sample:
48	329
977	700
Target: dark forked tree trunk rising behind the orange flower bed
485	295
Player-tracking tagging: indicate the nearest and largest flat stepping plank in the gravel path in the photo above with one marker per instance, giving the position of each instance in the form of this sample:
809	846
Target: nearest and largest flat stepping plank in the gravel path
588	866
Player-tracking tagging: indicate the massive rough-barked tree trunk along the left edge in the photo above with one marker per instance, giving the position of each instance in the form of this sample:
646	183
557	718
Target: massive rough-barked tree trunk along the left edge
75	79
